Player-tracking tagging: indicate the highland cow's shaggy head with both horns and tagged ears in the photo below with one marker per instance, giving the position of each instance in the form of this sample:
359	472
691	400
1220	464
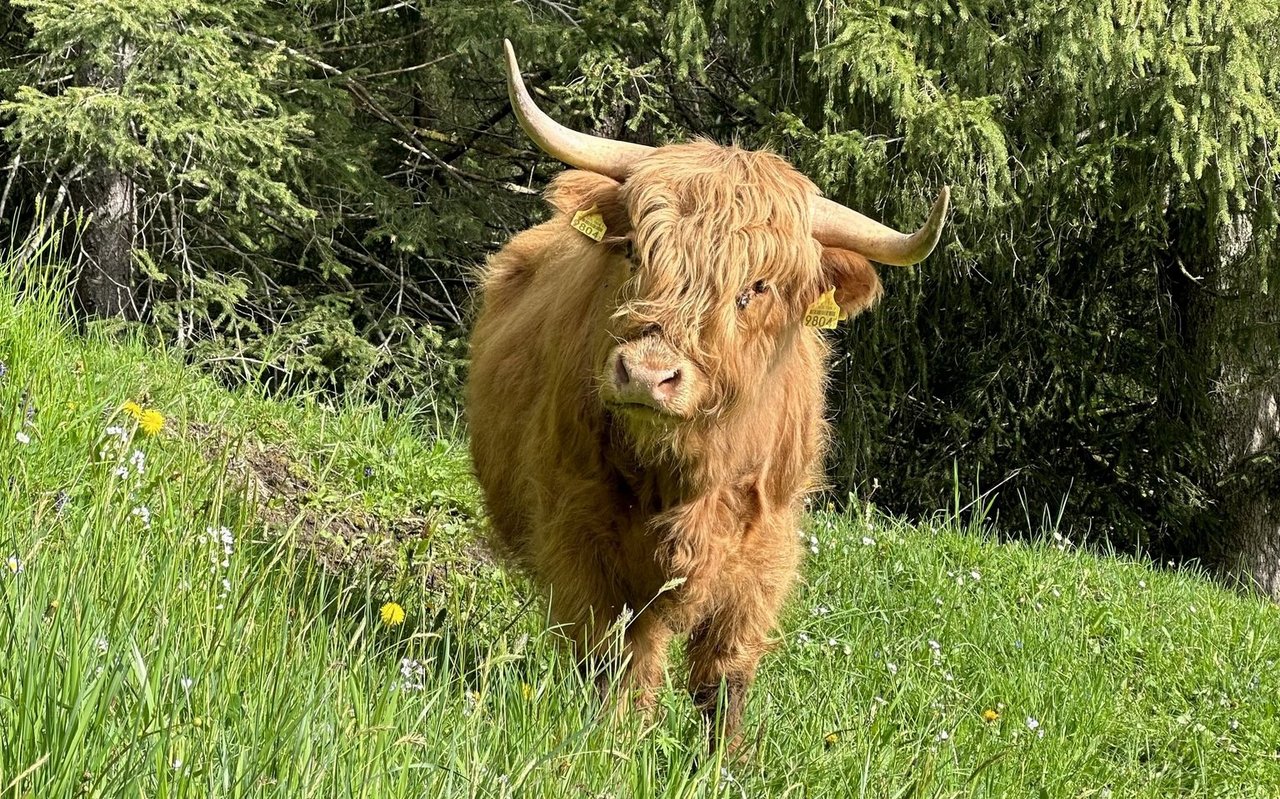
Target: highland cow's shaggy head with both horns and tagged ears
717	253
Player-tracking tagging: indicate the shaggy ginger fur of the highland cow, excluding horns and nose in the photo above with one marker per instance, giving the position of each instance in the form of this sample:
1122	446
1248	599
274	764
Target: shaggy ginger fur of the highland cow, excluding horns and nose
606	505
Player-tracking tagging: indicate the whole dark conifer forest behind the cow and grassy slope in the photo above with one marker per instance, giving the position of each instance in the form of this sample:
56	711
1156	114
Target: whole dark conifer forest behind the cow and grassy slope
299	194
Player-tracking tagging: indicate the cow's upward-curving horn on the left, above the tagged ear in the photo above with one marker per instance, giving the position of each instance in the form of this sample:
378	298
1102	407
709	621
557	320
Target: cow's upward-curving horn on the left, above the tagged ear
592	153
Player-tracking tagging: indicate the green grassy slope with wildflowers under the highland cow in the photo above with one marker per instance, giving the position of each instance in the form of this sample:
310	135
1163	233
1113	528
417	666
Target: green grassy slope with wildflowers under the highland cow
126	670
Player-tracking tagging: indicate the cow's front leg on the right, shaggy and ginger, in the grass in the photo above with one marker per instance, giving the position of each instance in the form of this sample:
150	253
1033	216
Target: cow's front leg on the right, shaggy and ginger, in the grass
725	650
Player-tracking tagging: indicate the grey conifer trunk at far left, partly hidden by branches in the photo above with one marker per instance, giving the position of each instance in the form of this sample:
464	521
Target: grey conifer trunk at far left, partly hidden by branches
108	199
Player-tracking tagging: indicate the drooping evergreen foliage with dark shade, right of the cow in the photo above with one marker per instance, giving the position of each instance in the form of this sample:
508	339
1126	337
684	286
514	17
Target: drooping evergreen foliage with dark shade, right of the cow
1069	344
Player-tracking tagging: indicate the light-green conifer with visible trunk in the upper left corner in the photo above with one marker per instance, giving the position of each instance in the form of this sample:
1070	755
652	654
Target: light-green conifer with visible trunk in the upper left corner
152	111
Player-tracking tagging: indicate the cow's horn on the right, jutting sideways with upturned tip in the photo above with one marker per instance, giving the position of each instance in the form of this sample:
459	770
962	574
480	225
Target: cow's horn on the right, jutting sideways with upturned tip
838	226
